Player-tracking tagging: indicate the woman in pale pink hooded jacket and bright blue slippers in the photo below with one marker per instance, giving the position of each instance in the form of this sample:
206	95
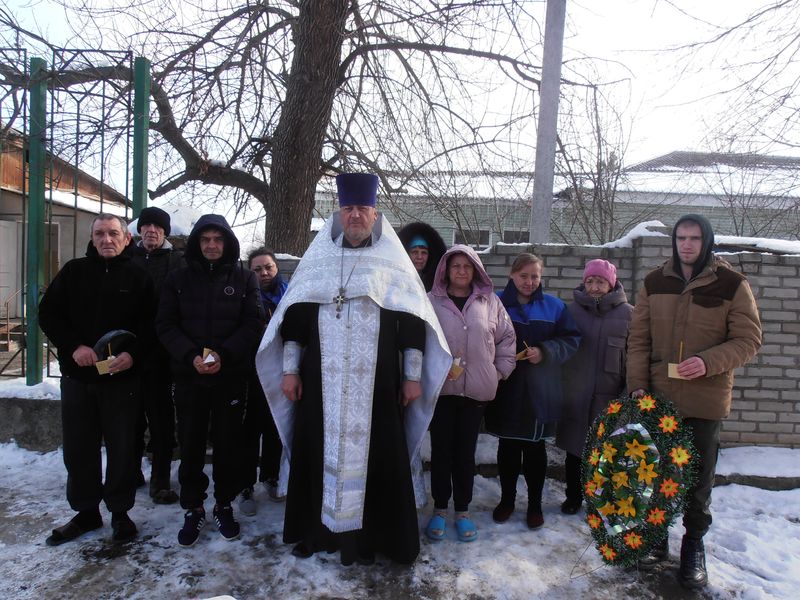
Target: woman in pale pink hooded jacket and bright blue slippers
482	342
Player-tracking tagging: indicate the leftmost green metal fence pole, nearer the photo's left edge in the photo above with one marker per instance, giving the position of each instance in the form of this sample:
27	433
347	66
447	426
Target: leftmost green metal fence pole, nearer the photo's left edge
35	251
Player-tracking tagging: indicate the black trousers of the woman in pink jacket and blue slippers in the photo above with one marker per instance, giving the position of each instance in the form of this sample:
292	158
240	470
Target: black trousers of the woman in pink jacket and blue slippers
454	435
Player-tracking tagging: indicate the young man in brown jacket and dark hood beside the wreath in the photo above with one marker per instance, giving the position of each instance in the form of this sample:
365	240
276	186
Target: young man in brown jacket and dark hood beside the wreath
694	310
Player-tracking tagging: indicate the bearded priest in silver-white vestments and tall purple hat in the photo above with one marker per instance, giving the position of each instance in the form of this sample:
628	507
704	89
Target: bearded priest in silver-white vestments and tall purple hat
352	363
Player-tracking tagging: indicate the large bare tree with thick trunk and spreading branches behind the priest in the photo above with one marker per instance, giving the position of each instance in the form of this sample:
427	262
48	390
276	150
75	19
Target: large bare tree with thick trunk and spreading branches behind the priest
264	98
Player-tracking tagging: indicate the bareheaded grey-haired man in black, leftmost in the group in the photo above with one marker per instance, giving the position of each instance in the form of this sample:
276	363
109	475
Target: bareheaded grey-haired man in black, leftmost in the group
102	296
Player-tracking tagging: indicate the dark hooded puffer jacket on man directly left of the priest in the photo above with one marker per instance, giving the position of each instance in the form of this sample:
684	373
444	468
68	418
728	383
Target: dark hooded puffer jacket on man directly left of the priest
214	305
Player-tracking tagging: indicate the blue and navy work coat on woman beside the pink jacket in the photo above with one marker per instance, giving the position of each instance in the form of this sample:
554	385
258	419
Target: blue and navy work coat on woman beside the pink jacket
532	395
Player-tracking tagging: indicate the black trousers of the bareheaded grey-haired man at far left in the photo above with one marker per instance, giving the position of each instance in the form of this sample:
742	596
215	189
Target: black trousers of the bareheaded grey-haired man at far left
93	413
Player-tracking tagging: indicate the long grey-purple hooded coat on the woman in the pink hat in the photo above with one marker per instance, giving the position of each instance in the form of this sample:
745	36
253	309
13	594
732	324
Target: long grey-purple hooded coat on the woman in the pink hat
595	374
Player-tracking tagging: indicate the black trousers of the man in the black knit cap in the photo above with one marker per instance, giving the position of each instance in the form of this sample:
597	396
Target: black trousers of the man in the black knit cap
159	416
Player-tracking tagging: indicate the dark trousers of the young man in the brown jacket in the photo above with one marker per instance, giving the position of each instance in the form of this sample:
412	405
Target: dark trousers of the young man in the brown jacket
697	515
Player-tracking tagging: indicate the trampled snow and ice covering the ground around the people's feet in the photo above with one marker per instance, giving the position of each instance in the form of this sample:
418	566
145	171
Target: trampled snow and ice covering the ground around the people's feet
753	549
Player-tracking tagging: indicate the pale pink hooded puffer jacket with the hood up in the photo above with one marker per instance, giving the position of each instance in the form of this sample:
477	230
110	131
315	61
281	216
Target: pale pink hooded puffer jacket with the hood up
481	335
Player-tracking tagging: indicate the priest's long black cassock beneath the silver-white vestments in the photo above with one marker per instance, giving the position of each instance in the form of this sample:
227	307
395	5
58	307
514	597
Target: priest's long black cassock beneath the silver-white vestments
390	515
